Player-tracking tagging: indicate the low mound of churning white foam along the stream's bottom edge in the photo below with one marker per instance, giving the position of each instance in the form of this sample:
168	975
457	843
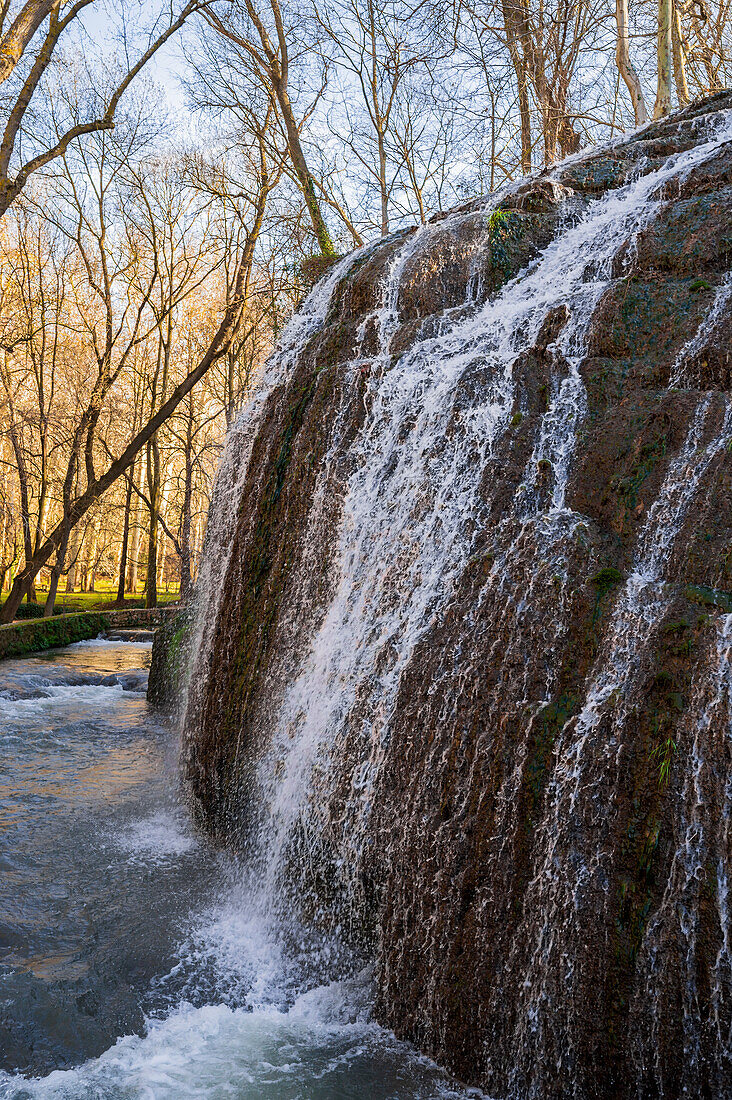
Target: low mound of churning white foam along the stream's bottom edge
314	1050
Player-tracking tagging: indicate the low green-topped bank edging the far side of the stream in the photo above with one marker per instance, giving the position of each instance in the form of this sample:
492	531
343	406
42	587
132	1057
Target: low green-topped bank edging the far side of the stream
36	635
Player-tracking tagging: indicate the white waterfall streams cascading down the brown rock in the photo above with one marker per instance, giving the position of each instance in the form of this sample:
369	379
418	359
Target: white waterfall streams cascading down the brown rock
441	529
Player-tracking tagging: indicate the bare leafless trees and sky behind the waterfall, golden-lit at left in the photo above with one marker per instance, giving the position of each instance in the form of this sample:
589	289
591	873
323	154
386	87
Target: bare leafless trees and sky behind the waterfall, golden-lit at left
154	241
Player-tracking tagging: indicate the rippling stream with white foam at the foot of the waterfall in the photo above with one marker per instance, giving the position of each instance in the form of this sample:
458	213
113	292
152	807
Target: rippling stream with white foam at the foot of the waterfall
132	964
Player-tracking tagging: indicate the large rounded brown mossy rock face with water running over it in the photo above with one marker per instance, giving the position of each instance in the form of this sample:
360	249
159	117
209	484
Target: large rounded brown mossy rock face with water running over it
469	688
